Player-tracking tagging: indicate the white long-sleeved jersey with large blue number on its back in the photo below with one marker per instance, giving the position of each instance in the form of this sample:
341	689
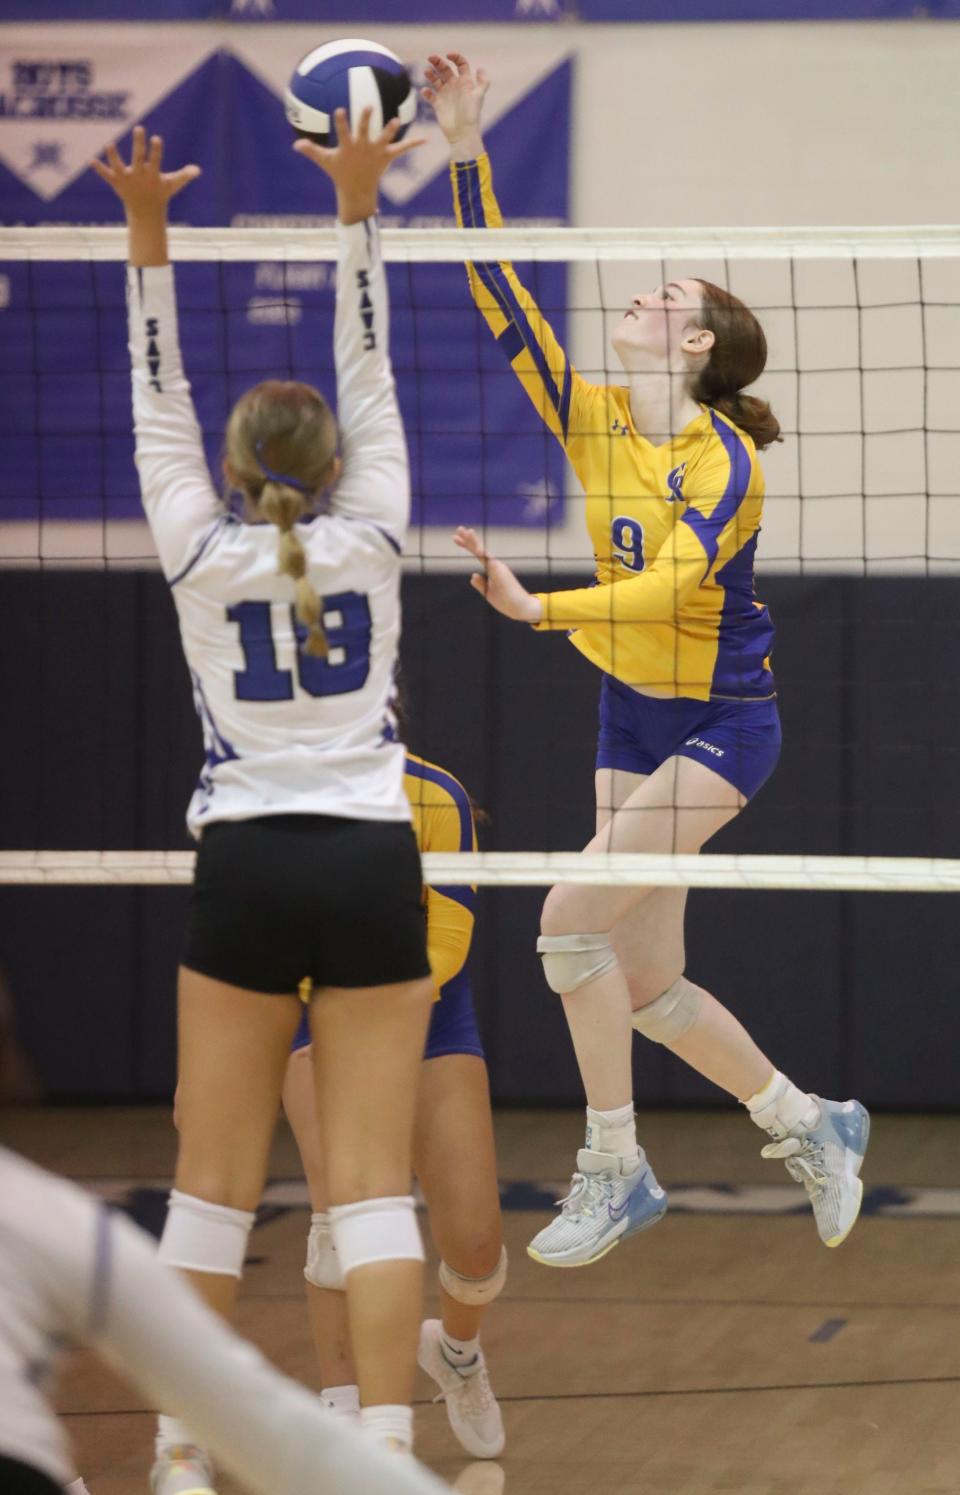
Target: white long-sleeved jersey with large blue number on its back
285	732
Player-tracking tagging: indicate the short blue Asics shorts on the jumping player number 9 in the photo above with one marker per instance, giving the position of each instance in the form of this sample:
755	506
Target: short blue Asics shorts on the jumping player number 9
741	741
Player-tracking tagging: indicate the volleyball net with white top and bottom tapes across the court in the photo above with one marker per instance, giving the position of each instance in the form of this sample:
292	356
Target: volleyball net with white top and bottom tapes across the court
864	331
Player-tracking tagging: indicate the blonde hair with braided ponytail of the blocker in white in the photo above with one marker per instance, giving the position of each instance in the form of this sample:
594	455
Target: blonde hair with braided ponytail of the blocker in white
286	430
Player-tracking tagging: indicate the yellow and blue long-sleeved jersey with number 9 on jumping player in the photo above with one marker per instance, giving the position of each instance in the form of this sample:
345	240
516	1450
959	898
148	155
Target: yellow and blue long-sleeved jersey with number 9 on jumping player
674	527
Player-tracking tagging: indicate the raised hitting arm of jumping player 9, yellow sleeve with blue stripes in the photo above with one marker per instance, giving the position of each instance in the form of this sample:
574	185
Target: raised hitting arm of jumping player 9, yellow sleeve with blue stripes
561	397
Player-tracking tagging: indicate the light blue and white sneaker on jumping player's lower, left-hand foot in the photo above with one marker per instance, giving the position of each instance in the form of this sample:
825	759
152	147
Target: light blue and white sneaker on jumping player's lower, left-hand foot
605	1206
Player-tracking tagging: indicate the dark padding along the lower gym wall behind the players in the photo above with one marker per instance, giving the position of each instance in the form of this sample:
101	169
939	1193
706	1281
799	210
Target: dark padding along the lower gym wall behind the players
850	993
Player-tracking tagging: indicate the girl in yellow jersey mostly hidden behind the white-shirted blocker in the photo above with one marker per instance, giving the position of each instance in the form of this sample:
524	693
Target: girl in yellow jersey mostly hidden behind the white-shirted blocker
454	1153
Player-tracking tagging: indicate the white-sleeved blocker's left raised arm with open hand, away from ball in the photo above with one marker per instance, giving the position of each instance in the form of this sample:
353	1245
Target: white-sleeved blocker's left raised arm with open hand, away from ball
179	497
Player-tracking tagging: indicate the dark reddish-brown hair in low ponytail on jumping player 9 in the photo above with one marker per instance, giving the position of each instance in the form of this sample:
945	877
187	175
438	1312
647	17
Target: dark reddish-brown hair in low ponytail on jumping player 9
738	358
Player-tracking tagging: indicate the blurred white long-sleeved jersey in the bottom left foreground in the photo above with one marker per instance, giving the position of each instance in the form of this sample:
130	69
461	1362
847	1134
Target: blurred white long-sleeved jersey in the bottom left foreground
74	1271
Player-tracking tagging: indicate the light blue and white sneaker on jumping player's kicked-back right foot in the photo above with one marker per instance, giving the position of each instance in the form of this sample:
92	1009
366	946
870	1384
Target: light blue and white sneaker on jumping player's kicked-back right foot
828	1162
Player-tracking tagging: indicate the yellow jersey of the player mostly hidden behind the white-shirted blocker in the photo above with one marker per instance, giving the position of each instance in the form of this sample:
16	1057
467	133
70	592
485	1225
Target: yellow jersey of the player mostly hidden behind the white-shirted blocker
443	820
